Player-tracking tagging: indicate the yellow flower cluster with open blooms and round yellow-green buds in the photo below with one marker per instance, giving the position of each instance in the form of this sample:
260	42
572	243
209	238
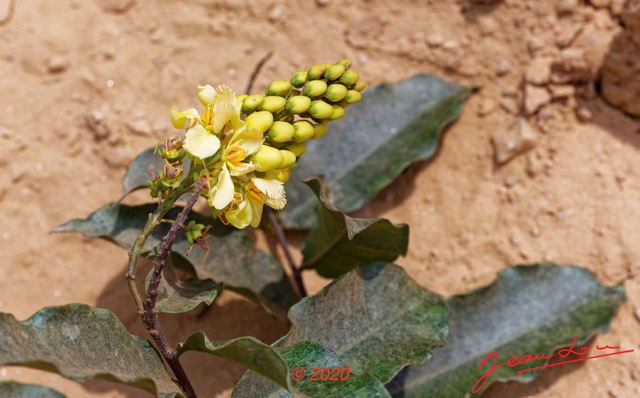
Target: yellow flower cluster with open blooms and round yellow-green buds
248	144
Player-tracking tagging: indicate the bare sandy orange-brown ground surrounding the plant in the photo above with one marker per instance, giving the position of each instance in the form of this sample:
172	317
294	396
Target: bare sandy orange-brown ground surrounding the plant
86	85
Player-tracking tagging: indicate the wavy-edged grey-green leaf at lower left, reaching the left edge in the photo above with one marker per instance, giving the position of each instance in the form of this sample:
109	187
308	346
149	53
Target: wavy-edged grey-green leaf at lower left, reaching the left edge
81	343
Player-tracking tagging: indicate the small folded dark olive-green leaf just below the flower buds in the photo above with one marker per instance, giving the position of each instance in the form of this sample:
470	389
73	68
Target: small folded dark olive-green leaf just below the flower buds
340	243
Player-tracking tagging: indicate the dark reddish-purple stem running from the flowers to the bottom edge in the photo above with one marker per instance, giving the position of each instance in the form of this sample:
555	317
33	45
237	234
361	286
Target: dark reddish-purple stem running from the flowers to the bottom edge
150	316
